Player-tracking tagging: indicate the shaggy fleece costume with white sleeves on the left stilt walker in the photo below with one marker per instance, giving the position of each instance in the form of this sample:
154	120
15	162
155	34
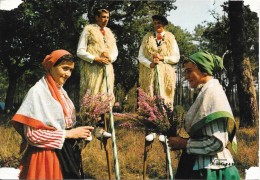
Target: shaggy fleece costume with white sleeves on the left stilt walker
93	42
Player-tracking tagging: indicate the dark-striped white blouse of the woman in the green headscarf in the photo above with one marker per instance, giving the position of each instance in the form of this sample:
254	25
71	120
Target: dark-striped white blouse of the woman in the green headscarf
211	149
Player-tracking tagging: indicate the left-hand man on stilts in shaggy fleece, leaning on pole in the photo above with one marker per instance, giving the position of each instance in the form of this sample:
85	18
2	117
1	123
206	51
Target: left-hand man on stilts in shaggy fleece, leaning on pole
97	48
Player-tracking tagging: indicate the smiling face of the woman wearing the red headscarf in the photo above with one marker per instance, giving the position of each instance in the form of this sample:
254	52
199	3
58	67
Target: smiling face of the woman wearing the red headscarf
62	72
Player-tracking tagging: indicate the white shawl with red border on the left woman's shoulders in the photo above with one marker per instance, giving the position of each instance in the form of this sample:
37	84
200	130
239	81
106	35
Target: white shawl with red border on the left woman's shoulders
40	110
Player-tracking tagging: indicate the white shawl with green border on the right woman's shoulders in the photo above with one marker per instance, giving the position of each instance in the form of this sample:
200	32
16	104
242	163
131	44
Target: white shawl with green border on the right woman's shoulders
211	104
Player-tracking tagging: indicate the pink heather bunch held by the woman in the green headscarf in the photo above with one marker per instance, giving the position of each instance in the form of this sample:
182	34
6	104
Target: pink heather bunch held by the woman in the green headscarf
155	114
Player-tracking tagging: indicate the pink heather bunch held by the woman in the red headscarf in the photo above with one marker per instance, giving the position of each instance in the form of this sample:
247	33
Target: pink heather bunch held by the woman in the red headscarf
93	106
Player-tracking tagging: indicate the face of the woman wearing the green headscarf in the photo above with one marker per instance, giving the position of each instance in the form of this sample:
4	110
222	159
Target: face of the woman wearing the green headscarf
193	75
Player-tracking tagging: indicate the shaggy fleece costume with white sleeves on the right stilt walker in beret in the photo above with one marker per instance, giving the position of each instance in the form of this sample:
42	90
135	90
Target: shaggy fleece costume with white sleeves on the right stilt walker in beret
167	47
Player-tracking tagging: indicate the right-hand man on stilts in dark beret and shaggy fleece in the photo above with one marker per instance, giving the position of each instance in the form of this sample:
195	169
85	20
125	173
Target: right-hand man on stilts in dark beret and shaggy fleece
158	54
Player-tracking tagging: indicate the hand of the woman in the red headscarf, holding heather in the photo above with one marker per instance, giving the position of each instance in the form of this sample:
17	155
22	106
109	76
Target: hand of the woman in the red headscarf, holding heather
80	132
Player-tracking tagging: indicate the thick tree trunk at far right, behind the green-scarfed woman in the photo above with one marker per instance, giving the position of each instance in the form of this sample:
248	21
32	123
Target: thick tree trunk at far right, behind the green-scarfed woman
245	85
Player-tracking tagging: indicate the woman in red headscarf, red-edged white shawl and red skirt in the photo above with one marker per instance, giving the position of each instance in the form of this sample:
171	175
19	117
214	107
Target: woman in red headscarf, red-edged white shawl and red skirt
46	121
